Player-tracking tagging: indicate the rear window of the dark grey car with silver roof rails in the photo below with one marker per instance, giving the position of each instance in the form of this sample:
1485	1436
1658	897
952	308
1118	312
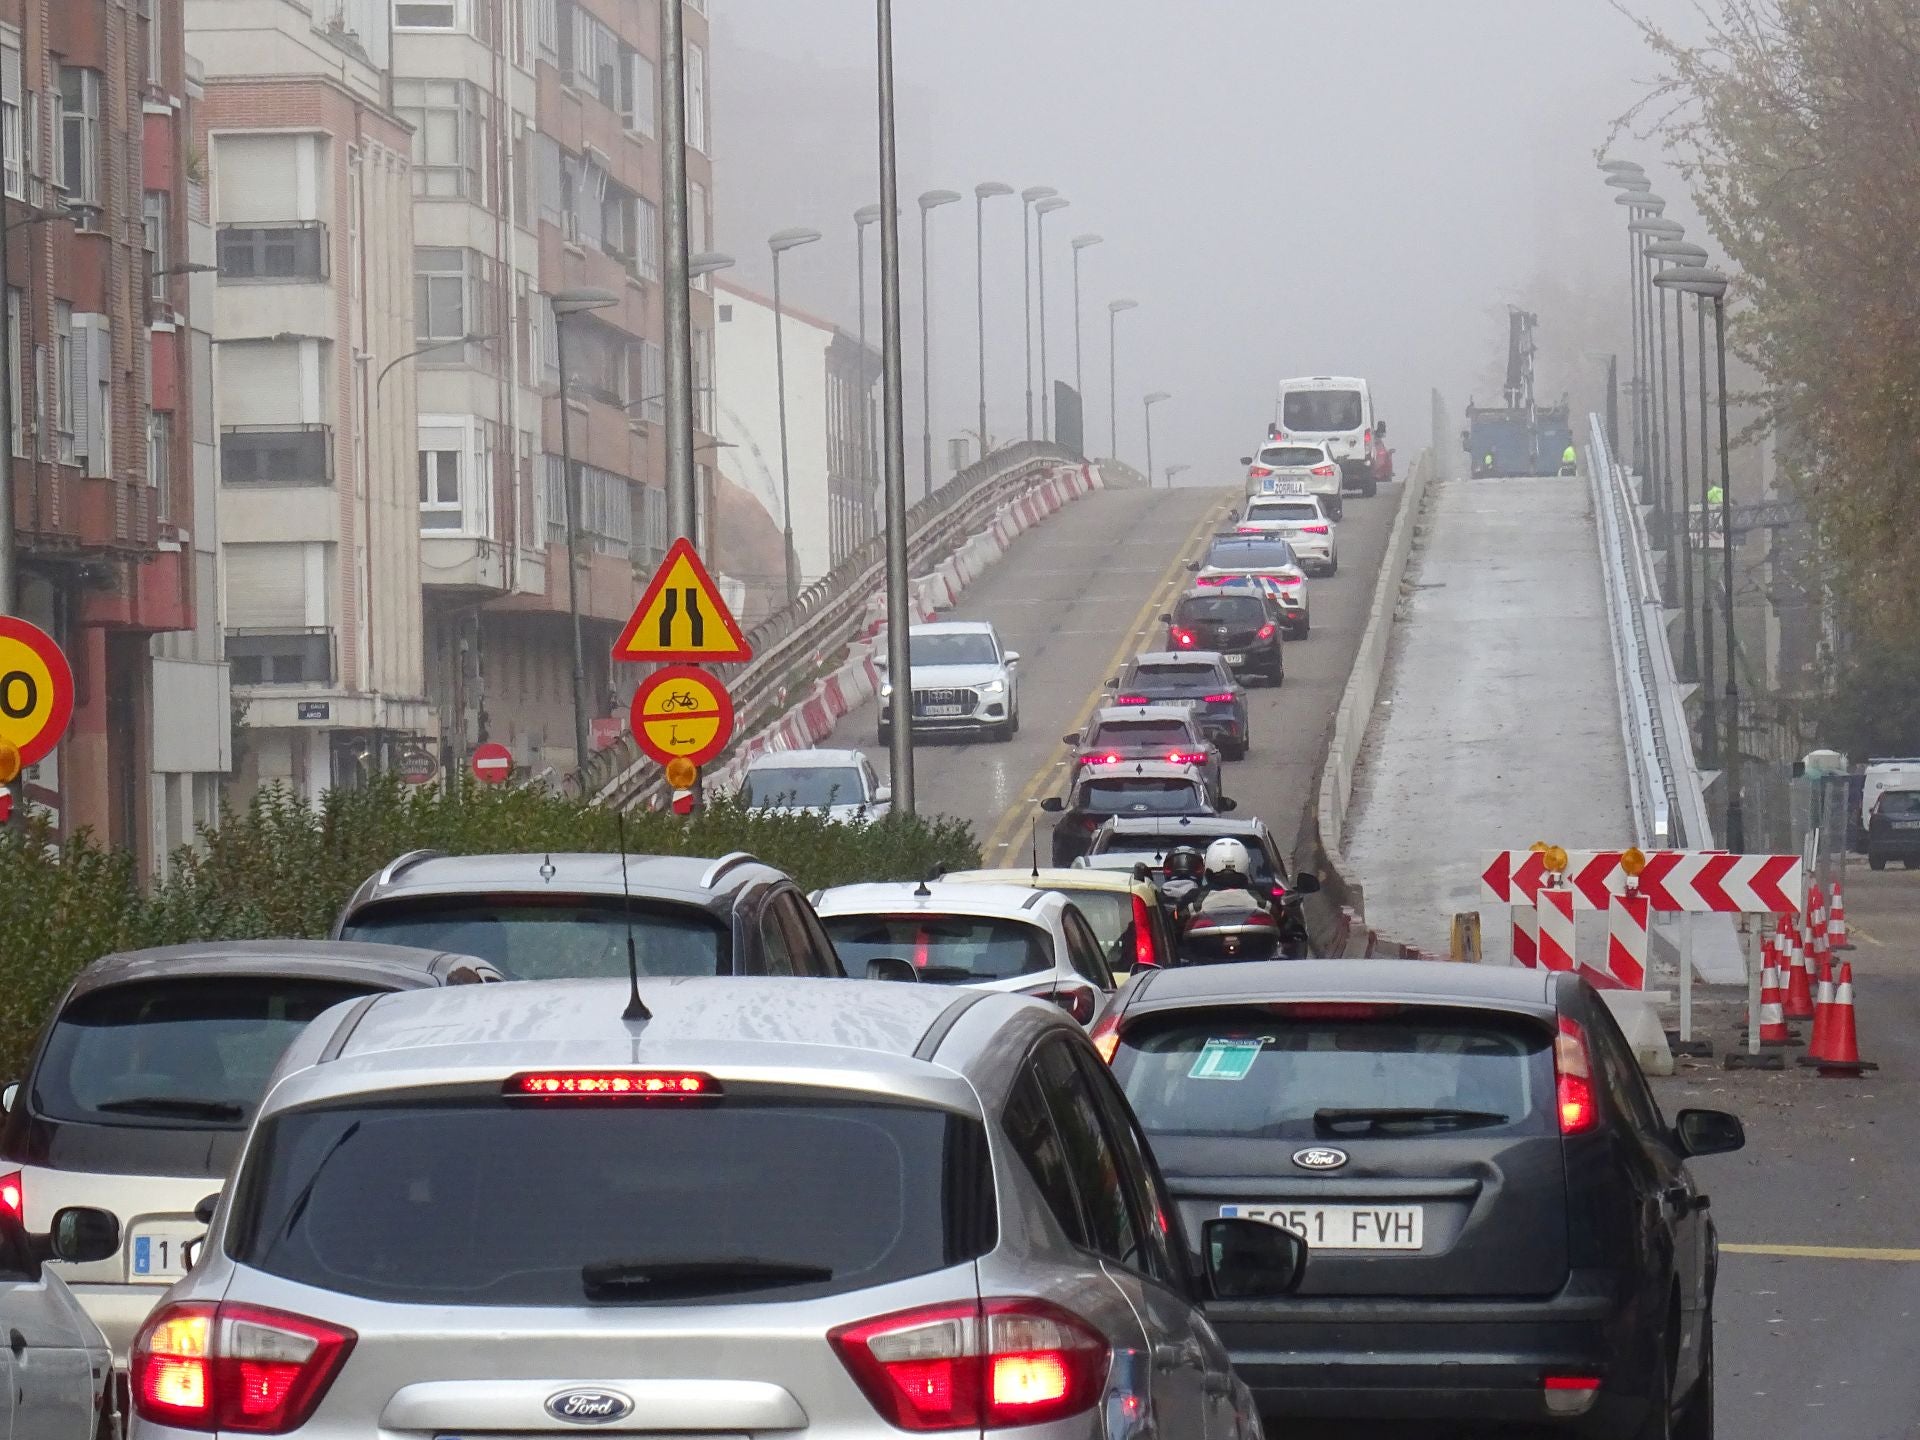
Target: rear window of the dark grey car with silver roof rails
567	938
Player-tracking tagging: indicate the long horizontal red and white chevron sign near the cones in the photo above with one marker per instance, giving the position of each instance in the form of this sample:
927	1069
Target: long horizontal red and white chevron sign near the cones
1700	882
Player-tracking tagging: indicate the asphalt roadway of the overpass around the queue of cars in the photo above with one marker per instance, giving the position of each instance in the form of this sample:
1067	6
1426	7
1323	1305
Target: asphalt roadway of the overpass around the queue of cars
1082	594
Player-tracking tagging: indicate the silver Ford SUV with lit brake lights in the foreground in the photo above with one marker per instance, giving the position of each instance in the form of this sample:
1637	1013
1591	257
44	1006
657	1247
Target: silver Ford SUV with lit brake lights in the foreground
767	1205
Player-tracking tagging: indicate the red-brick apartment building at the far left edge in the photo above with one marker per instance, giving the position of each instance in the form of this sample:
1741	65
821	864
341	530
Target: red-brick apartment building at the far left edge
101	387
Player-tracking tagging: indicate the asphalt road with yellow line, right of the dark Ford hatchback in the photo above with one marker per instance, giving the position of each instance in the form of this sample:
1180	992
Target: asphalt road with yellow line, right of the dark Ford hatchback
1819	1303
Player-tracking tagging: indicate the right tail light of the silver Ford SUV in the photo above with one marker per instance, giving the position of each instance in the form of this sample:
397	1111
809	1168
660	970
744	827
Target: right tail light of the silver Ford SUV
996	1364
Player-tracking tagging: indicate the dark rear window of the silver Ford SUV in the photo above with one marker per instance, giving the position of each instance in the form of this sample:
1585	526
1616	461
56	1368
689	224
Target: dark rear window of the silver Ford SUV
433	1201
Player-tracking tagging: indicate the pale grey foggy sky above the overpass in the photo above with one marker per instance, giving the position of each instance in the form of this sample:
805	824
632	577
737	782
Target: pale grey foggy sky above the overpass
1287	187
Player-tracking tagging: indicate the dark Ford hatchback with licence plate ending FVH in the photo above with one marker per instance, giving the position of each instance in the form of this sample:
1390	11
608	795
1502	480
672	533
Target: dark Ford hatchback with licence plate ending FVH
1502	1224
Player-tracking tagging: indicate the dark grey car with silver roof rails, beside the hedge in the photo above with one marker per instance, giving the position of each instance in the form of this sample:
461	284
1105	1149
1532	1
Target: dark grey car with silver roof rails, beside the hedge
567	917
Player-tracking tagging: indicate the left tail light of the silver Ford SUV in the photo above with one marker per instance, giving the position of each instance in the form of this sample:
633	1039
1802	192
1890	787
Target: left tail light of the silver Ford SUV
233	1368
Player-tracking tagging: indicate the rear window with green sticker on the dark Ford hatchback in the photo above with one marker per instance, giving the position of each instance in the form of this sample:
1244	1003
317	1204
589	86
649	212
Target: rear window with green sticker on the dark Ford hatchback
1337	1070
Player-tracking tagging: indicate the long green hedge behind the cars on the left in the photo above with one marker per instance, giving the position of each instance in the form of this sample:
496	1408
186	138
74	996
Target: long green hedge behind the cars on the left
285	869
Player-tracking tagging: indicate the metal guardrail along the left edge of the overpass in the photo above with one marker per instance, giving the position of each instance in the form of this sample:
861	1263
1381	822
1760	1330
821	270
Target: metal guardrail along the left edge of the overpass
796	642
